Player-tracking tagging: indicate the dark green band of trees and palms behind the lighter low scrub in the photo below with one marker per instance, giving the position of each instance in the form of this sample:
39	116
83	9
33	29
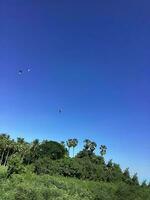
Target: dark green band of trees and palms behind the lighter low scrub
51	157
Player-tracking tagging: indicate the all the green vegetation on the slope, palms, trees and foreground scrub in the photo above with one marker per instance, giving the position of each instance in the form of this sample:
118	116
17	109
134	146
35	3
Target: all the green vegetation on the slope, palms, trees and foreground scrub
44	170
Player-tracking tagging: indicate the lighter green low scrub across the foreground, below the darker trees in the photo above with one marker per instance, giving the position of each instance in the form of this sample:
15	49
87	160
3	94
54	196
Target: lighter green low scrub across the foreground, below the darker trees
45	187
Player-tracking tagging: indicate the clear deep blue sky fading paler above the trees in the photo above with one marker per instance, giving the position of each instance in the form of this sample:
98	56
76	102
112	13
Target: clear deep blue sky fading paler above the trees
90	58
